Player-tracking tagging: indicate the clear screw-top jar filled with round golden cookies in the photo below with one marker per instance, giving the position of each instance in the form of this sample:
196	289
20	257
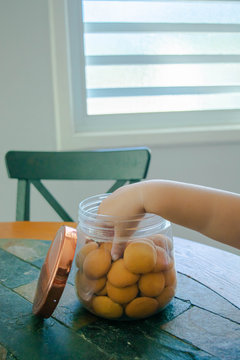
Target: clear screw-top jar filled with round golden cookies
129	278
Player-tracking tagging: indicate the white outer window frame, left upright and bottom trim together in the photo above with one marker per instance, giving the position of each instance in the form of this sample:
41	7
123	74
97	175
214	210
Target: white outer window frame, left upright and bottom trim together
68	139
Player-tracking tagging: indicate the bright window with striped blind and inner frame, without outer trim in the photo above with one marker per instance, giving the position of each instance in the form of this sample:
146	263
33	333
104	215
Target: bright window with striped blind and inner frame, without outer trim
153	66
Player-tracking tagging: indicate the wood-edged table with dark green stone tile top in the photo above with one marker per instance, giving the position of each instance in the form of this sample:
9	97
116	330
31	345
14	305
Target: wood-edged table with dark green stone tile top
201	322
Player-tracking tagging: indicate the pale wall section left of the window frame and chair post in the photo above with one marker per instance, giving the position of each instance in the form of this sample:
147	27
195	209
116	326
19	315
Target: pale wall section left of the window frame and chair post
26	110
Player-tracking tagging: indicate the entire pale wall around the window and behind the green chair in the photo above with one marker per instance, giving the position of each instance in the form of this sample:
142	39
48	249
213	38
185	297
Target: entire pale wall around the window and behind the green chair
27	122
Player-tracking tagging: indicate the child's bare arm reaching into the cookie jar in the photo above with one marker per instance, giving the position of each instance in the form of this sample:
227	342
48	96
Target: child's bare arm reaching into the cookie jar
212	212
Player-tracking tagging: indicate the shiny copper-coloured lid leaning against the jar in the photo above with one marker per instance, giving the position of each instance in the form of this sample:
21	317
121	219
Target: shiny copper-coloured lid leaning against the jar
55	271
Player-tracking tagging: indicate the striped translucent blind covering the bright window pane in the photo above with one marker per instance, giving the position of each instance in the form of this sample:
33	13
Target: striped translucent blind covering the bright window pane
153	56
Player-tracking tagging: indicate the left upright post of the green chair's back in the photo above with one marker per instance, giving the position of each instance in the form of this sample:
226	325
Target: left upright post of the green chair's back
23	200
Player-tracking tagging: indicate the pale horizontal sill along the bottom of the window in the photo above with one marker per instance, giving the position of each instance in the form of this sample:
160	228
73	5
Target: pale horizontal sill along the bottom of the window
165	137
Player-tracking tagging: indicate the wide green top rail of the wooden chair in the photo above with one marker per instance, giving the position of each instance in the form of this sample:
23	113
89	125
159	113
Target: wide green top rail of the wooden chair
84	165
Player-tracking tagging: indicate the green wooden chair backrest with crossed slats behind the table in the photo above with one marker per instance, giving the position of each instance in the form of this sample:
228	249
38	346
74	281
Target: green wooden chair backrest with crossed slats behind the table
121	165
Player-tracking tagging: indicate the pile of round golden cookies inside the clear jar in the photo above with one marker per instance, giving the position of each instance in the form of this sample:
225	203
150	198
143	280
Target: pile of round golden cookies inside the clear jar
139	282
